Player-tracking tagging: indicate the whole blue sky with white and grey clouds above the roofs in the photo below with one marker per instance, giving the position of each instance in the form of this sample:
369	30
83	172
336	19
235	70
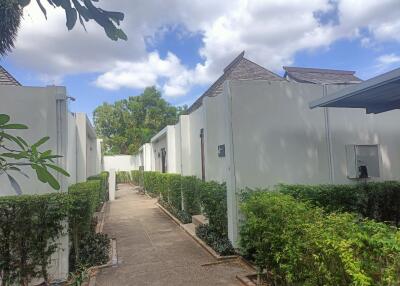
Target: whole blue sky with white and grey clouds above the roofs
182	46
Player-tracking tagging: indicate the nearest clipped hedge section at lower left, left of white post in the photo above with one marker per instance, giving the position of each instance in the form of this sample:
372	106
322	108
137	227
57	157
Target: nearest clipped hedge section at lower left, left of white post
29	228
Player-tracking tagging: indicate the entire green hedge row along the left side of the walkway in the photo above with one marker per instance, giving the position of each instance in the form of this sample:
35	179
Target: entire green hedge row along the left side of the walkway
30	226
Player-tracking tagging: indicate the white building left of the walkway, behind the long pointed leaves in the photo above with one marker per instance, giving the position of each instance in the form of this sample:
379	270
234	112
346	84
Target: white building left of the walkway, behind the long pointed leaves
45	111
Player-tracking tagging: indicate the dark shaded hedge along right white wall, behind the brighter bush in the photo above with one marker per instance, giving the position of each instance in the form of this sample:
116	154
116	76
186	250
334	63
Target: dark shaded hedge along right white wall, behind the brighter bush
378	200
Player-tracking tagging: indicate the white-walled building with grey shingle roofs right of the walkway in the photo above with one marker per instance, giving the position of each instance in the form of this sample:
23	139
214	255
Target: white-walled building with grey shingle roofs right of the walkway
255	129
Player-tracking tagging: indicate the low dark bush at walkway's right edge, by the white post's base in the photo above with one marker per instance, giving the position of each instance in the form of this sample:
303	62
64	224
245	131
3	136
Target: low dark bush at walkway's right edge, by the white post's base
221	244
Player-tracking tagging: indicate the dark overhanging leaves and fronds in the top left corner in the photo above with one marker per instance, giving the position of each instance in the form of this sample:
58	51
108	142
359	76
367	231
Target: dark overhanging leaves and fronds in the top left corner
82	10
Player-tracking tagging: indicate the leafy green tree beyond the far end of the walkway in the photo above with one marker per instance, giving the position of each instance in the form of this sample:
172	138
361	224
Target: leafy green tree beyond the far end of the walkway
129	123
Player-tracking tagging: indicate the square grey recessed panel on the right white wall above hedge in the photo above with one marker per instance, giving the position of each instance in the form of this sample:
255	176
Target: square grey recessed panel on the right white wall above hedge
362	161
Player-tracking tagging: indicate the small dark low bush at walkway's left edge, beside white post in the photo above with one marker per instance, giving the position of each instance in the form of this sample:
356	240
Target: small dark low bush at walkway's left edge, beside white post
94	250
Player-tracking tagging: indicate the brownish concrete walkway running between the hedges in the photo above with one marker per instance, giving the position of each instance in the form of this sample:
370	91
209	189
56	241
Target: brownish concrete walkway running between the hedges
153	250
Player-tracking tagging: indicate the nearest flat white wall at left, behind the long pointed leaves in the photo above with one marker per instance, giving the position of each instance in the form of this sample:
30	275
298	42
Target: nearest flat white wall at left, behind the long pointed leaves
47	116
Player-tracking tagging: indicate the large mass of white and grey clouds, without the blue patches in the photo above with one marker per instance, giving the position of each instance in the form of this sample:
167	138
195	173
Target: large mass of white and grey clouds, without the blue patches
271	32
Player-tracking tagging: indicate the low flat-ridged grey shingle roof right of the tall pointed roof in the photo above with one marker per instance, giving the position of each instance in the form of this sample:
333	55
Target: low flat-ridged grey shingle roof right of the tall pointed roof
320	76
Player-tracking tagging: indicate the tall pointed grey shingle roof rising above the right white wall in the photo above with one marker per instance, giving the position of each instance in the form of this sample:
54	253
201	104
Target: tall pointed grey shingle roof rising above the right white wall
240	69
